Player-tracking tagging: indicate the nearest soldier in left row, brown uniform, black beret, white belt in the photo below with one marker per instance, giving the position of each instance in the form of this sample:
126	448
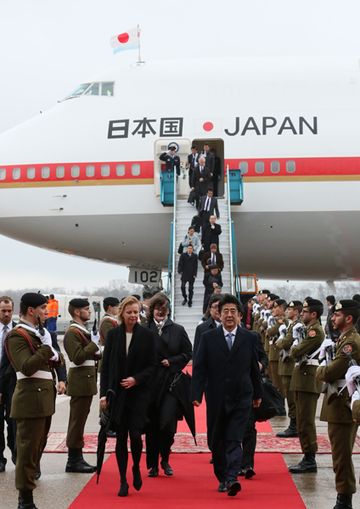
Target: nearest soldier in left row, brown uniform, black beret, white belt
29	349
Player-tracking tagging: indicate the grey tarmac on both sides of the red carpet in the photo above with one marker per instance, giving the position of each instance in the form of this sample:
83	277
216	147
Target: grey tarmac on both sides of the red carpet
56	489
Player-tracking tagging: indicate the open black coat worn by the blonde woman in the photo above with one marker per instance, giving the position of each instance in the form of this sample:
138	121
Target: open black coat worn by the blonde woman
140	363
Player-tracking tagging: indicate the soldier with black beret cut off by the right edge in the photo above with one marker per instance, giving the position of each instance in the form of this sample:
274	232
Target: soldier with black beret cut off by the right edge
335	408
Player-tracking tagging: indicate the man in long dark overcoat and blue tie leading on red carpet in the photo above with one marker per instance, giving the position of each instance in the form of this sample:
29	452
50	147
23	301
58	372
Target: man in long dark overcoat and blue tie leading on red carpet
226	364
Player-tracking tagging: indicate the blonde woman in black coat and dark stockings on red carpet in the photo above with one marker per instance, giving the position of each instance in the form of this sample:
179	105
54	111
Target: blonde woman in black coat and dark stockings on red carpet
129	364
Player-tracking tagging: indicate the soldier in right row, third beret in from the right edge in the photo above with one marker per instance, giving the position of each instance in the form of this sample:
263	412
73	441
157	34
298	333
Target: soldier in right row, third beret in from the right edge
286	364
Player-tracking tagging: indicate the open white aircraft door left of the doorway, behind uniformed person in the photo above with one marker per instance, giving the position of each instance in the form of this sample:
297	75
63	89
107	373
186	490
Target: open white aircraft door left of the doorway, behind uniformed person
183	149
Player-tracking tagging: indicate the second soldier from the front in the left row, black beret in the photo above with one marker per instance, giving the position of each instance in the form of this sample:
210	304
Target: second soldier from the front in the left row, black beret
83	351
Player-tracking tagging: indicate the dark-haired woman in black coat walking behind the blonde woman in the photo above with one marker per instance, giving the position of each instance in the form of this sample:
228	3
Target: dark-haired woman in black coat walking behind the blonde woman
174	351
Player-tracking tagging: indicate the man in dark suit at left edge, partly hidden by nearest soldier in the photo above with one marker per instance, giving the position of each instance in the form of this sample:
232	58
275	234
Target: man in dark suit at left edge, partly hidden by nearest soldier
7	383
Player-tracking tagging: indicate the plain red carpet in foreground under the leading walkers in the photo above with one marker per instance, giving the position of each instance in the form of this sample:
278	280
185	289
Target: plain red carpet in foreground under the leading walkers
194	485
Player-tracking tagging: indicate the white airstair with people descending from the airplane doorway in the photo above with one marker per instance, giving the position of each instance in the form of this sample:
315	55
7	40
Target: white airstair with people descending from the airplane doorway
183	213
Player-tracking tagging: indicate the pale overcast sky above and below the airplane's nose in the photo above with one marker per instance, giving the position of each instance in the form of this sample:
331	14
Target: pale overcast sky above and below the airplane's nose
47	47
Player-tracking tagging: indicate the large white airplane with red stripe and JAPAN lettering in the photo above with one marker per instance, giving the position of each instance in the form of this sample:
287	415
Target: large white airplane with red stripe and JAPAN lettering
84	177
